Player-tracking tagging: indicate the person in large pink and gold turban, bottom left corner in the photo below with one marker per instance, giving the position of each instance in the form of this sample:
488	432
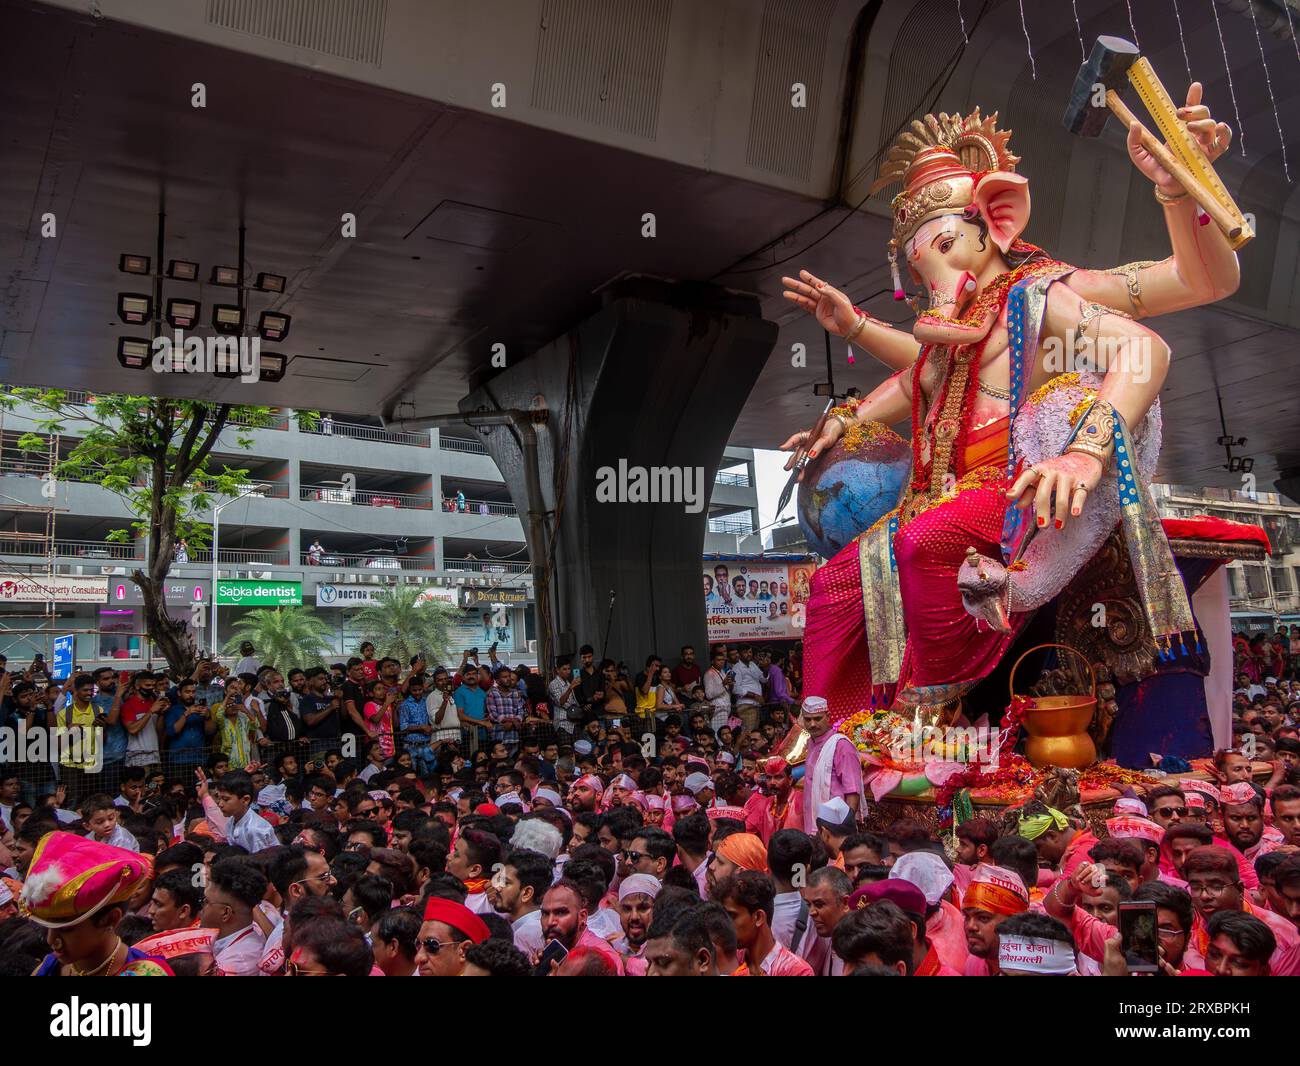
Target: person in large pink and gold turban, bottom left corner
79	889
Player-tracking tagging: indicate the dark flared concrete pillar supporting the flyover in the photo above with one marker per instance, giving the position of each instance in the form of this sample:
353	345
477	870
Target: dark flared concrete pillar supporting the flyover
642	401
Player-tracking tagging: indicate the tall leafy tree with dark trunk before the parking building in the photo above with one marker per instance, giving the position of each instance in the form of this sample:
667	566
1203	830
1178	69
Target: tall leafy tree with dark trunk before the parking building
154	453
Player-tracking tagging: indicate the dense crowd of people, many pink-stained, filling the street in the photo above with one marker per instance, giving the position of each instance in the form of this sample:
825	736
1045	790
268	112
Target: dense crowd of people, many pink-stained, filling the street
374	818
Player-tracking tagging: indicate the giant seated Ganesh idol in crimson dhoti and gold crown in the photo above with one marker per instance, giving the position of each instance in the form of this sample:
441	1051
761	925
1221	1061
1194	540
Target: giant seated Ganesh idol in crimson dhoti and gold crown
1032	391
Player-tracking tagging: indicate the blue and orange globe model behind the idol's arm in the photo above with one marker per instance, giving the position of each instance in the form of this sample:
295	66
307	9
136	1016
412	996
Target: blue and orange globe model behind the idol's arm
846	491
